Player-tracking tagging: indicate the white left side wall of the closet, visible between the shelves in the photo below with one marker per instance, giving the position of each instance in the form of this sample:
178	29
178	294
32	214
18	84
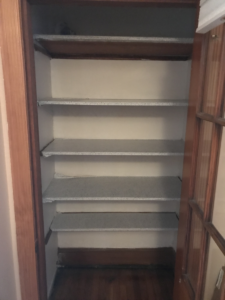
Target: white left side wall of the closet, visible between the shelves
45	123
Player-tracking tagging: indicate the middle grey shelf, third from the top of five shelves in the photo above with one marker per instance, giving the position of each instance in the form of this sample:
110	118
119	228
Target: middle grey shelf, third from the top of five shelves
115	147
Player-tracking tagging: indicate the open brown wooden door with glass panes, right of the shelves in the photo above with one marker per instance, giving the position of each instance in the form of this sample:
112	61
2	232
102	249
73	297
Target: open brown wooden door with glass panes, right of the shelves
202	147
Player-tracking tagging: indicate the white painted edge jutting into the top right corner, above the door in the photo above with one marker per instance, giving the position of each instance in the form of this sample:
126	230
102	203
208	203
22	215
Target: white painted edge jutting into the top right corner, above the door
211	15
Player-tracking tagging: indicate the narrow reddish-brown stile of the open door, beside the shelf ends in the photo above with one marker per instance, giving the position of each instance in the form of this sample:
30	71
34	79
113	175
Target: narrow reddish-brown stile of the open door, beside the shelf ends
180	291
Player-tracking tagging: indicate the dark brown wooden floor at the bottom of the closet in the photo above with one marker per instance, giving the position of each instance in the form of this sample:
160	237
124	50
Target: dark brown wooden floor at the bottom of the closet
113	284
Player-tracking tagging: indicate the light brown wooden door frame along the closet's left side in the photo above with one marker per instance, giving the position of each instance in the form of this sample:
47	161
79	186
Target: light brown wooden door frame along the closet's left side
21	105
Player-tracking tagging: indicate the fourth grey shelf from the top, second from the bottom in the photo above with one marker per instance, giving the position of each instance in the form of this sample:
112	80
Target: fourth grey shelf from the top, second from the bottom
113	189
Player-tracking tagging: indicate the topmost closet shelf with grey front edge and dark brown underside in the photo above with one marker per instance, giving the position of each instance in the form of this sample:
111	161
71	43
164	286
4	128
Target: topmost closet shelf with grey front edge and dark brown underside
110	47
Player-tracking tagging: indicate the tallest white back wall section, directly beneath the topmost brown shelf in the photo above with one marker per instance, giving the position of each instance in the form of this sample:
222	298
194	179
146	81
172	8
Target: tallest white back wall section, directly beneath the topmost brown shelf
120	79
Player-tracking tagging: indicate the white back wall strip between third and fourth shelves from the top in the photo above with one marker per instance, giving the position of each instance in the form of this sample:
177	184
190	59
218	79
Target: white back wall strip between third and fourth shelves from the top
119	166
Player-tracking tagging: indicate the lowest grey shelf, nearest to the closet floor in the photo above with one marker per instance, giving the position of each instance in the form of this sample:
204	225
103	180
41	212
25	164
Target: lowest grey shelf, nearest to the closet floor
70	222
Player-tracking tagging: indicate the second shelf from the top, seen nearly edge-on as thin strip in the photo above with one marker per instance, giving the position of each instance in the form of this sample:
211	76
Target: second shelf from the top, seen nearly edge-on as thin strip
113	102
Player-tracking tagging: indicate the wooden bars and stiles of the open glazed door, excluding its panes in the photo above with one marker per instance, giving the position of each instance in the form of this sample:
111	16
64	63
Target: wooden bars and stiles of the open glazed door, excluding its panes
189	206
